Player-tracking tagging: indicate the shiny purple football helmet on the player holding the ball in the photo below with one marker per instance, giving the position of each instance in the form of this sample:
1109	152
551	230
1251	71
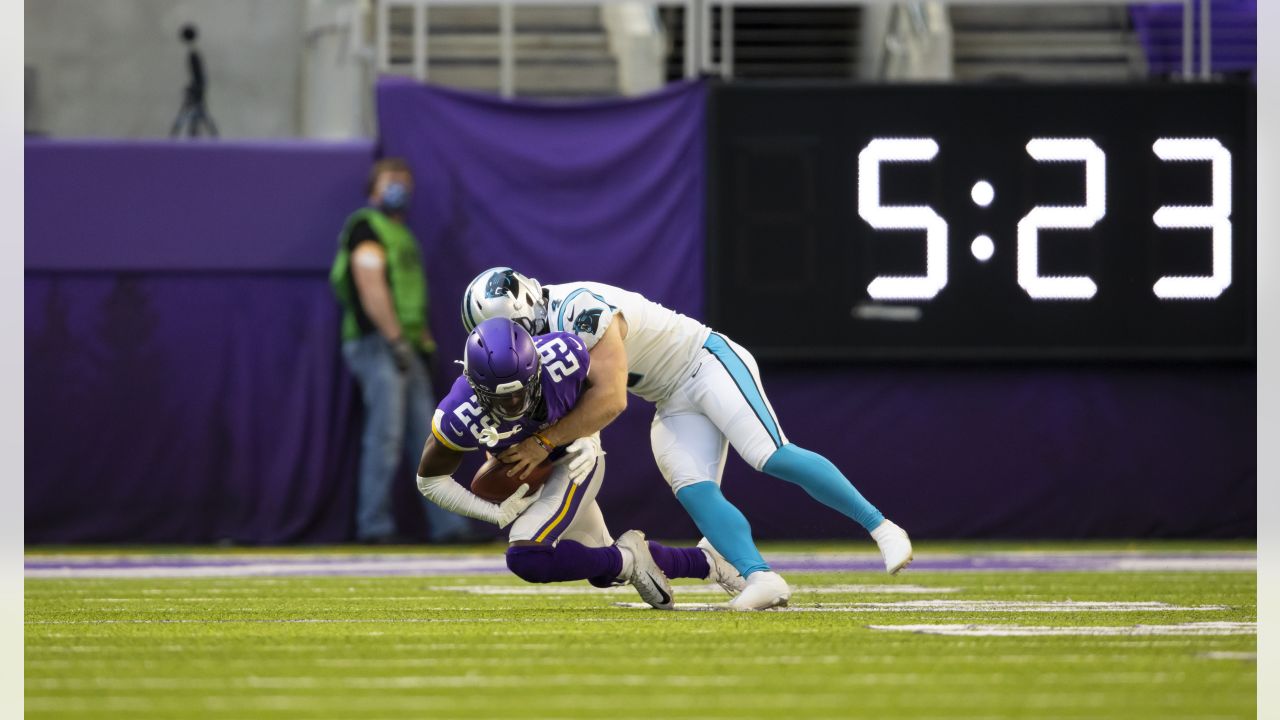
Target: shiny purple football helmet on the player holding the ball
502	367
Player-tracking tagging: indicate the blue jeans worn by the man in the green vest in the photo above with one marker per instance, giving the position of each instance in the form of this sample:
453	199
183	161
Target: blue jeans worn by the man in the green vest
397	421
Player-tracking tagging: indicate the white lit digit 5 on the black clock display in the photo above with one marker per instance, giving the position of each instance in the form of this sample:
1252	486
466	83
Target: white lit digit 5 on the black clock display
903	218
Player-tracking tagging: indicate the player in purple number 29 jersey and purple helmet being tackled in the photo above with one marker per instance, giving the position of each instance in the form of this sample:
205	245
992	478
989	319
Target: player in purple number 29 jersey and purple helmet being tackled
514	386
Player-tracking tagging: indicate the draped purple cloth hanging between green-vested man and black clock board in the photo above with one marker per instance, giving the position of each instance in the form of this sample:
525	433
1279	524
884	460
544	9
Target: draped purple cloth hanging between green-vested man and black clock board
607	192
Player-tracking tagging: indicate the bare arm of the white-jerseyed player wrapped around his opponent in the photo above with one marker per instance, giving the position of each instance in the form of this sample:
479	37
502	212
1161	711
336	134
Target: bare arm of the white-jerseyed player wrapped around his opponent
602	402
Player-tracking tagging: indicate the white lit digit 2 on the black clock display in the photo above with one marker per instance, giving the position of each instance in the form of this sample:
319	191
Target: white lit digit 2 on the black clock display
1062	217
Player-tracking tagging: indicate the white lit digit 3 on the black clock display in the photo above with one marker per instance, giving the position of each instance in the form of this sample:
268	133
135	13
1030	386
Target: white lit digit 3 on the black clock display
1217	217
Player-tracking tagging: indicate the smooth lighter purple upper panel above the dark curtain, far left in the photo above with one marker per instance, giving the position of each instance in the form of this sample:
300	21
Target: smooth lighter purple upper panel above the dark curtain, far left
139	207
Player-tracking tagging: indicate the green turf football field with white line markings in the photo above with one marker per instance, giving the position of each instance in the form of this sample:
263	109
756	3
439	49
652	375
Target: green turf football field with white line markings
970	631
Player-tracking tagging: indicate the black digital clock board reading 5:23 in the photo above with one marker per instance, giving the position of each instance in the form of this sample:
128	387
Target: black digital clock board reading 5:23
984	222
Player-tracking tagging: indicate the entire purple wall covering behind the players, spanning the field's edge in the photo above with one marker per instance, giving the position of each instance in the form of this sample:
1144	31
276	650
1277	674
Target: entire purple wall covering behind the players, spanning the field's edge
184	381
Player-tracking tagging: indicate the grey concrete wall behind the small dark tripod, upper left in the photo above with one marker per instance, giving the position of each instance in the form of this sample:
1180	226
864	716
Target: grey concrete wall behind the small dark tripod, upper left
117	69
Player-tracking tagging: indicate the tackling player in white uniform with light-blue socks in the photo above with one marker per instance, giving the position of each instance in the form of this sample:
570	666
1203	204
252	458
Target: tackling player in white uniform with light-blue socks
708	397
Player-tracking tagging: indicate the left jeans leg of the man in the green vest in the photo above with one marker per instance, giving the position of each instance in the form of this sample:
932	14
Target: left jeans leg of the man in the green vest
382	388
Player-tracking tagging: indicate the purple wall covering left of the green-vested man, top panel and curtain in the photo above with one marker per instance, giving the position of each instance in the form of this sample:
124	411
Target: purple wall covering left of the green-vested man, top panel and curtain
184	381
